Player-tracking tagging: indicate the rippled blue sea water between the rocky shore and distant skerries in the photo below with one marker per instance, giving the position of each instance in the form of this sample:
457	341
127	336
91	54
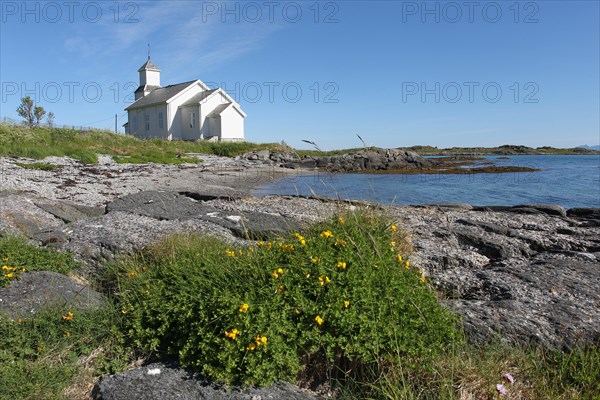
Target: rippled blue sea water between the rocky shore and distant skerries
567	180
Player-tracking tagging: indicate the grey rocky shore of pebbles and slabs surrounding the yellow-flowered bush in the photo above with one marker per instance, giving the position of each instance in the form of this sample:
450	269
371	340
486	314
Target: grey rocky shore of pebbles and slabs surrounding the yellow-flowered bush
526	274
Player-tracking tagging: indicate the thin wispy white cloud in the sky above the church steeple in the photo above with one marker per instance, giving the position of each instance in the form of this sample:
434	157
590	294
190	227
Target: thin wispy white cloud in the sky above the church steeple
187	38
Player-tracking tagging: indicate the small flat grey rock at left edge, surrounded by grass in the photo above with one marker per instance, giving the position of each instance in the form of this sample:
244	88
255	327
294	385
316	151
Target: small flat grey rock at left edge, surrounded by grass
40	290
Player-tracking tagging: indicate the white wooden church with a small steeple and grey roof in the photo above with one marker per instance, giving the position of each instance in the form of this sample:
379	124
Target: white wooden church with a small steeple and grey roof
185	111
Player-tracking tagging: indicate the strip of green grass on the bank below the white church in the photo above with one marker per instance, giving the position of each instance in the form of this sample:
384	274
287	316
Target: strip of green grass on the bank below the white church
85	145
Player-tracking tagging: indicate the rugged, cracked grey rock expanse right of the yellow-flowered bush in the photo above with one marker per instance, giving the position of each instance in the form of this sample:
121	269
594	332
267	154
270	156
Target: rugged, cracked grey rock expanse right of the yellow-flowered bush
518	276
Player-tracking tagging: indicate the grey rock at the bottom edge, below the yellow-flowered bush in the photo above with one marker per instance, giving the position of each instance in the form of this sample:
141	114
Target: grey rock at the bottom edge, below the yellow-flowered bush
159	381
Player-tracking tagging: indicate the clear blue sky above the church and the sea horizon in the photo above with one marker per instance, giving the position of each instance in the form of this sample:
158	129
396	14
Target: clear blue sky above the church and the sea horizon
397	73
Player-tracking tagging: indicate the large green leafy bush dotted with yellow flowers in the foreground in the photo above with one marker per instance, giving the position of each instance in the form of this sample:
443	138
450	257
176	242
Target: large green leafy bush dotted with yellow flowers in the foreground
338	296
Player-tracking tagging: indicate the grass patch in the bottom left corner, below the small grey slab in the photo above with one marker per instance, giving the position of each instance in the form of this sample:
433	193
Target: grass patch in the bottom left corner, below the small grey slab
43	356
